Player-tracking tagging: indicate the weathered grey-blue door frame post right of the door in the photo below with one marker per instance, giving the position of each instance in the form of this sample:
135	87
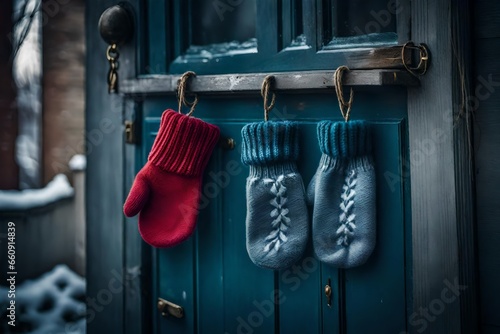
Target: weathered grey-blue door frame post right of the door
442	174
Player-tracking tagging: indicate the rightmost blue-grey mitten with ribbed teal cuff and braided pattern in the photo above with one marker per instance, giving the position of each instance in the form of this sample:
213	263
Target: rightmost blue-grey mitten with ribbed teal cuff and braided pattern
343	193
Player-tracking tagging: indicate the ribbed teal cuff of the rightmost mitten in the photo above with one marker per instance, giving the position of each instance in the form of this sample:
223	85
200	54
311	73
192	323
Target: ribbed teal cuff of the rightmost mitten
344	140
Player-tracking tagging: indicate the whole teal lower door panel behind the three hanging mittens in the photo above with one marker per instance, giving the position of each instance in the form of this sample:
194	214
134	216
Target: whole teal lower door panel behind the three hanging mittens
211	275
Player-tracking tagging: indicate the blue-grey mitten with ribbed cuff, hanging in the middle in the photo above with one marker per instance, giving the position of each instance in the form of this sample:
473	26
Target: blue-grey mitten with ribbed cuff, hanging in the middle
277	220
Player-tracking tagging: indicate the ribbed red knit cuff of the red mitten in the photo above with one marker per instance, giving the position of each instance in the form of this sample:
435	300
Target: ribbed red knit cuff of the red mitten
183	144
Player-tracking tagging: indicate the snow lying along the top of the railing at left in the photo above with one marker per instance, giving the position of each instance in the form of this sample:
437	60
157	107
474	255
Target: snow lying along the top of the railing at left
55	190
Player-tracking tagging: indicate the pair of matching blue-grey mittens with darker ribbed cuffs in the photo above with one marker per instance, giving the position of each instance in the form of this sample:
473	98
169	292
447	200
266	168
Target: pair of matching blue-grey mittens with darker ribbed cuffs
342	193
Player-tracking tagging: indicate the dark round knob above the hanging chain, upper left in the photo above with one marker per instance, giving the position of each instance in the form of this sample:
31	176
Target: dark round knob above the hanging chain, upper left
116	25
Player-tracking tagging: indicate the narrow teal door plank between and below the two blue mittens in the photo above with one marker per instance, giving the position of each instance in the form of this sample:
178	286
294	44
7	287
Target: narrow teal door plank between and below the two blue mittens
302	284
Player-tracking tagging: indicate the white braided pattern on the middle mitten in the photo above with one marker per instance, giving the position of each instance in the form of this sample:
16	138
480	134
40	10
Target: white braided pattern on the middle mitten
280	221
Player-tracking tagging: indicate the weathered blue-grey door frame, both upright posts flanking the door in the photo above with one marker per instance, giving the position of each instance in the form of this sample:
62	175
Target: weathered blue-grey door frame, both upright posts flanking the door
442	215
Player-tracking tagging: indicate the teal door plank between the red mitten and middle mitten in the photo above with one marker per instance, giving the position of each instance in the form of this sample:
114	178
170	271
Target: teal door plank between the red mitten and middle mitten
224	271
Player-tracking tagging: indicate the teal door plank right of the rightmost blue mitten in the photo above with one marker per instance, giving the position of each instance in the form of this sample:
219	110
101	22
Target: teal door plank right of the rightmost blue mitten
375	292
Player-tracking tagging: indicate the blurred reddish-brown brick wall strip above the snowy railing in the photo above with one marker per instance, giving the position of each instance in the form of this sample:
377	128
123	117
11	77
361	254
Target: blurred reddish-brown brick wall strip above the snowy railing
63	86
